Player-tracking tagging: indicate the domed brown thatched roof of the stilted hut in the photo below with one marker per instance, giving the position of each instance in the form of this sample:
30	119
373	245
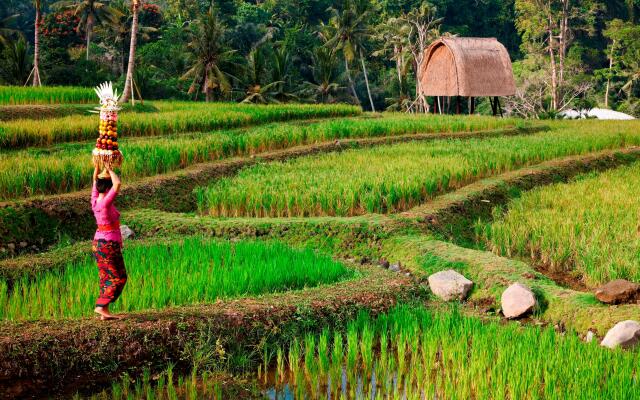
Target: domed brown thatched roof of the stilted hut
459	66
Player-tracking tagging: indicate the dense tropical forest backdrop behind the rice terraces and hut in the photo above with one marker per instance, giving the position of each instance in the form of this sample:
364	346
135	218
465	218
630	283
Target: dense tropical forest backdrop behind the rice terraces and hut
567	53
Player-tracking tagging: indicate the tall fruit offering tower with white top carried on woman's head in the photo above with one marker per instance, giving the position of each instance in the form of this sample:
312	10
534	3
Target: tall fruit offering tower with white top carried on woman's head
107	152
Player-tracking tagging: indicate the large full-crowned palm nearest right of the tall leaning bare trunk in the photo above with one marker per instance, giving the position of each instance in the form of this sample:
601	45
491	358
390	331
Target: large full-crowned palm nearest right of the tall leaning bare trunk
210	57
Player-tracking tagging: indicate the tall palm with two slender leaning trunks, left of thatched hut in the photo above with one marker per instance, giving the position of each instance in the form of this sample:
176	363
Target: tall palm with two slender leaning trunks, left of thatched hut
350	31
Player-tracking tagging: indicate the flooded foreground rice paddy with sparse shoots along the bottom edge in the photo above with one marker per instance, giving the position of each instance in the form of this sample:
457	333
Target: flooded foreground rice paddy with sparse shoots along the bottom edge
414	353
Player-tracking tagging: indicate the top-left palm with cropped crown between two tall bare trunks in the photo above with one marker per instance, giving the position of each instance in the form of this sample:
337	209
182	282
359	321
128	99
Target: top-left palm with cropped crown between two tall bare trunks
91	13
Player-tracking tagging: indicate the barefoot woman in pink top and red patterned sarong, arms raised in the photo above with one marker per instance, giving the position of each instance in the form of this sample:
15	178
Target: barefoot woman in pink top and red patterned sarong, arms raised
107	242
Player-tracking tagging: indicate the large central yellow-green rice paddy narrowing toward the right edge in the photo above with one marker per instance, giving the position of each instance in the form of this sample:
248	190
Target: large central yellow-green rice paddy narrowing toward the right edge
396	177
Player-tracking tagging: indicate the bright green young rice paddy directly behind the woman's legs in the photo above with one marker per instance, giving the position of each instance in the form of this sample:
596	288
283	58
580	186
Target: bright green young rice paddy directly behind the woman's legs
191	271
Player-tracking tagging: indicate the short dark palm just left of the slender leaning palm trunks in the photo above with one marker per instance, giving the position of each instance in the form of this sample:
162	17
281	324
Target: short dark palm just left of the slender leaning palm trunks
325	87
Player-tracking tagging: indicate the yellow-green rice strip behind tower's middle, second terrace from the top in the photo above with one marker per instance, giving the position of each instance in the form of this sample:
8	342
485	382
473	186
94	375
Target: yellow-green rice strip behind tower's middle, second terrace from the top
172	118
